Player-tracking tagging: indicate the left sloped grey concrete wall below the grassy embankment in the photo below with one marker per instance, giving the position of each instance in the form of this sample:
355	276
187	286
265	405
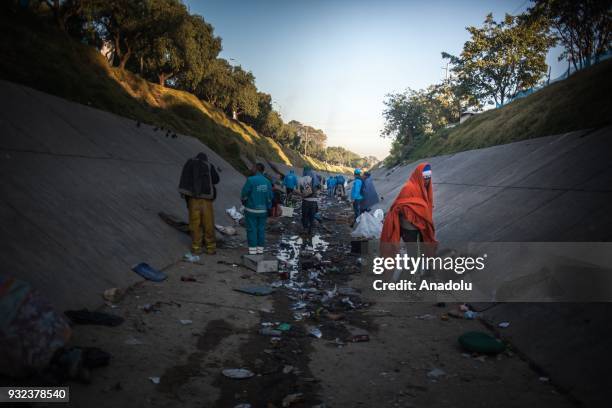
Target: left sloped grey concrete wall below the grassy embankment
80	191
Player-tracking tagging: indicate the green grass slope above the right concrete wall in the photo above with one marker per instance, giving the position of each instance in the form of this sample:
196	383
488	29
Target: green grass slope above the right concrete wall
583	101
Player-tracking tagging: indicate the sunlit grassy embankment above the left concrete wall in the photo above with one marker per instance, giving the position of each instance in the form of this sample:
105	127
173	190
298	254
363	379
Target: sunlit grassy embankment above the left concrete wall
43	58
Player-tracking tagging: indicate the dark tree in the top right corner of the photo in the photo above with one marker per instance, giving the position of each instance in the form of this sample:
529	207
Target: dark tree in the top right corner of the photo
583	27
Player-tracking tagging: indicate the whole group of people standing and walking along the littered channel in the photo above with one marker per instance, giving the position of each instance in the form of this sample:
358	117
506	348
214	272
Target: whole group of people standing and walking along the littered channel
409	218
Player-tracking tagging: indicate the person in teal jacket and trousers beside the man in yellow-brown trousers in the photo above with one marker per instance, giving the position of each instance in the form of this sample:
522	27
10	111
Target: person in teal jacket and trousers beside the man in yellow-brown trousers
257	199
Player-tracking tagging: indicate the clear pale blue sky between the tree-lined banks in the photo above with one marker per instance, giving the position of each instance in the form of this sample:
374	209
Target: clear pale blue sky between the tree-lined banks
329	63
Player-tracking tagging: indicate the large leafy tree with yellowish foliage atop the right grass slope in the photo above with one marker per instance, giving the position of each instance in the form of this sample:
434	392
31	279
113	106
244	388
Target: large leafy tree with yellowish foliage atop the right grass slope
502	58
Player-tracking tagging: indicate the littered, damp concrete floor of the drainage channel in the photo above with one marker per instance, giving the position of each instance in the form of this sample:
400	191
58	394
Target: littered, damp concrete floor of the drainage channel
391	370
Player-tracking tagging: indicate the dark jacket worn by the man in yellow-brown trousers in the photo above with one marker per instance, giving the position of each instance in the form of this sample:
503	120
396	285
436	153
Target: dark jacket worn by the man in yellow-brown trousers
198	178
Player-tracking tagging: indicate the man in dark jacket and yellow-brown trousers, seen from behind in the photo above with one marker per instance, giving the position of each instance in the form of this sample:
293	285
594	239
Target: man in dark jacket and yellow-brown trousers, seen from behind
197	186
